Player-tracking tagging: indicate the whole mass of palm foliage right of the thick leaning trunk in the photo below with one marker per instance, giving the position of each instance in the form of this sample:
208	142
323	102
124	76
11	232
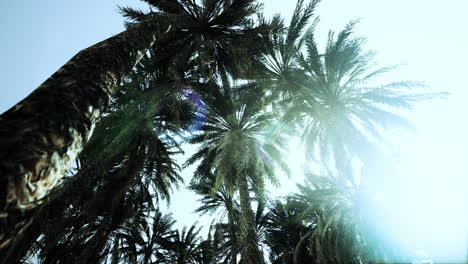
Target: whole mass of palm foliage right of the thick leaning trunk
237	89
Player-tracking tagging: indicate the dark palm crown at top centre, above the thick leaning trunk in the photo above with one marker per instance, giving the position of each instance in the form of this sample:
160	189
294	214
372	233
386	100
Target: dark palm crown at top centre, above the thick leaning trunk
211	32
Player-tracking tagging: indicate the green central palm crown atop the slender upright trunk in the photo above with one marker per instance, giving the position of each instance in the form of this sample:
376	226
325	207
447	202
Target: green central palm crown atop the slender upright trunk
234	140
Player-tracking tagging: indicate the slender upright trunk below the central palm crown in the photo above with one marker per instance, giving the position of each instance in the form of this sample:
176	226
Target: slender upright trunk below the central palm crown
250	254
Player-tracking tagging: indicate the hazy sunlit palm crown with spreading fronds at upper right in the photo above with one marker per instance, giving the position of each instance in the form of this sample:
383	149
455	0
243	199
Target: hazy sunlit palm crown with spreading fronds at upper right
341	110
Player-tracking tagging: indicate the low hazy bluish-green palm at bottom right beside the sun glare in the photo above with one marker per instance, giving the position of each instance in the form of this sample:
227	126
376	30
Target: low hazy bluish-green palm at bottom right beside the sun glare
339	229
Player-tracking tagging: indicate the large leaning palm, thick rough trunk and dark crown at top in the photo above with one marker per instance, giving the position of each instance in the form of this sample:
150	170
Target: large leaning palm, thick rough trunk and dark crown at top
45	132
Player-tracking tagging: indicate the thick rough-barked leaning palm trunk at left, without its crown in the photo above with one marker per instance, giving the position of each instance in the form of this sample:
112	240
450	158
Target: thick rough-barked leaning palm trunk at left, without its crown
43	134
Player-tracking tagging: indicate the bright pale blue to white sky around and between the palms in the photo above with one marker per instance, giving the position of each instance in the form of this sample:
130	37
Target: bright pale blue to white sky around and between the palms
427	206
